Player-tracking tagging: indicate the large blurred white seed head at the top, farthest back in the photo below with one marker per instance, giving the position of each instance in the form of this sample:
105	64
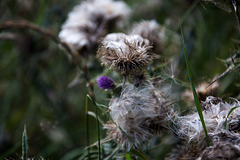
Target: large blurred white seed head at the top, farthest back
90	20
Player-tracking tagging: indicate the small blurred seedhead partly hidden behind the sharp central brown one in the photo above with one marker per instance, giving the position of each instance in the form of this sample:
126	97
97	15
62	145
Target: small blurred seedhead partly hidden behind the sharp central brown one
149	30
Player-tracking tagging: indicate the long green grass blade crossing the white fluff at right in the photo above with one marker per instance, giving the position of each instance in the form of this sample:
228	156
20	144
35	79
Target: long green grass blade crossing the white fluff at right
198	105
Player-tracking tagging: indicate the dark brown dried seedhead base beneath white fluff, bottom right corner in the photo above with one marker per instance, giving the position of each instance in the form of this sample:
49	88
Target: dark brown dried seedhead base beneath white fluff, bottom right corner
221	142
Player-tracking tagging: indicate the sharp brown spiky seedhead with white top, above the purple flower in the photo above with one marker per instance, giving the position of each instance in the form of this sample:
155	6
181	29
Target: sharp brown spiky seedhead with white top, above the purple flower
125	53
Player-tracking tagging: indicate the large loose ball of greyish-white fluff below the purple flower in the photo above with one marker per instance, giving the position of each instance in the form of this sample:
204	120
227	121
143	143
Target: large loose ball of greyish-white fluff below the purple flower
139	112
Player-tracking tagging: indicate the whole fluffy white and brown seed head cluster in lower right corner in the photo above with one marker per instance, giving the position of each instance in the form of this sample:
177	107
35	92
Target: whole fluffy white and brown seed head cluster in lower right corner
224	142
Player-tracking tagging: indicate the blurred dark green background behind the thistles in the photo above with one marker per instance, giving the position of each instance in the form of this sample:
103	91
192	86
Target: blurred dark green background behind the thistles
35	73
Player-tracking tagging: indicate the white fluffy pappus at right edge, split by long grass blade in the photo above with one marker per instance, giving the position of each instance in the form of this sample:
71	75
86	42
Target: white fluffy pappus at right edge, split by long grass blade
214	113
